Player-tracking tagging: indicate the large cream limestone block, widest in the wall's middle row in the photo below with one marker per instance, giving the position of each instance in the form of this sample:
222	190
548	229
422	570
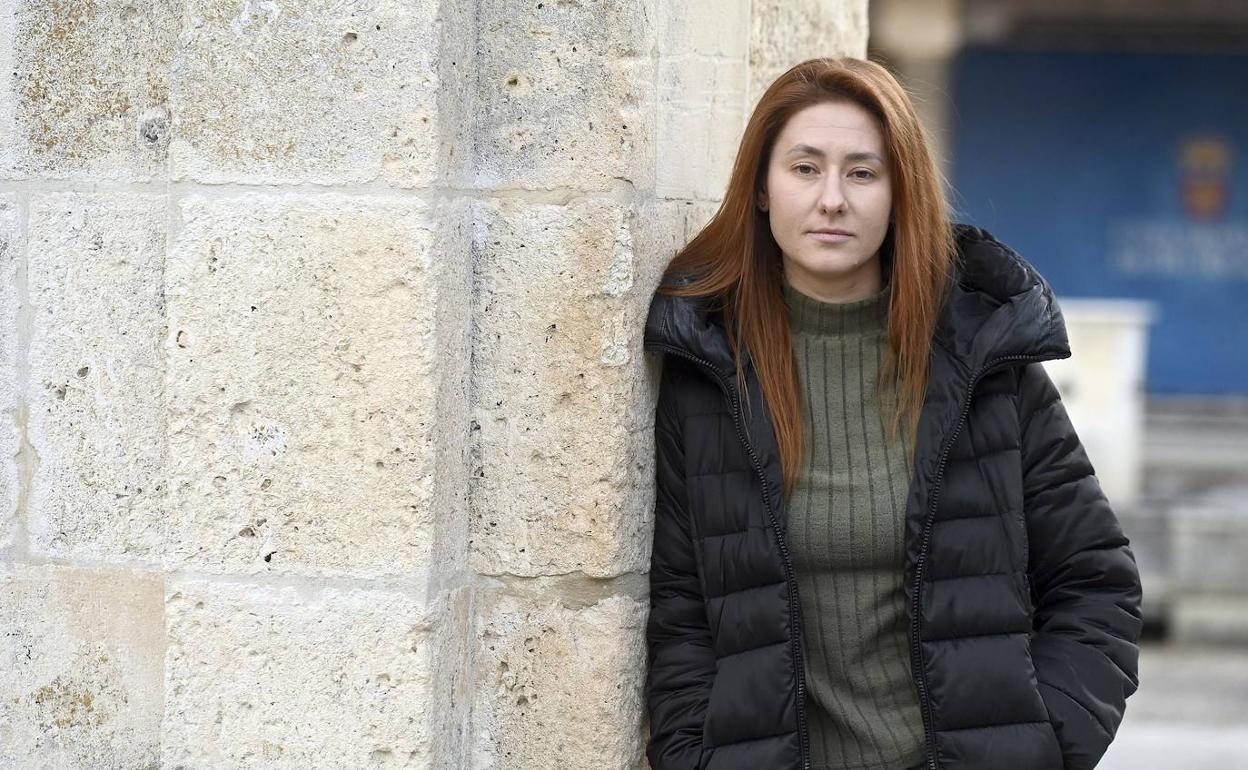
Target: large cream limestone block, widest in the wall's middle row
318	385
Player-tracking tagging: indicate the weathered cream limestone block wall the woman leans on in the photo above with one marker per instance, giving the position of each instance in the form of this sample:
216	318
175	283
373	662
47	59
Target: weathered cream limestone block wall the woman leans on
328	426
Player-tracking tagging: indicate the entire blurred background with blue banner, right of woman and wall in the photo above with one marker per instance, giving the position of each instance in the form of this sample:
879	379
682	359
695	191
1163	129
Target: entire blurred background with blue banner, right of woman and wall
1105	142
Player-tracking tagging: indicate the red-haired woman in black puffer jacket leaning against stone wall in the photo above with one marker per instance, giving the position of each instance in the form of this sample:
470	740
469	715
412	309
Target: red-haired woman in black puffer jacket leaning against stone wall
879	543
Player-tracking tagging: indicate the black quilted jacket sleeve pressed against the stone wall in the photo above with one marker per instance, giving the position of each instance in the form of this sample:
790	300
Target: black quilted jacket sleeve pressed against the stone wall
682	662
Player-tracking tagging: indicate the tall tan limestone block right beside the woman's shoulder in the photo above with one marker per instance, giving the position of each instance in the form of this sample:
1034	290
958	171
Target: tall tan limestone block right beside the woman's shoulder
562	392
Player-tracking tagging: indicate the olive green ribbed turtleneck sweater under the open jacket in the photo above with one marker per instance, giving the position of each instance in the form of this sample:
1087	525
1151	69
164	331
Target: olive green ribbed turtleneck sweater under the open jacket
847	530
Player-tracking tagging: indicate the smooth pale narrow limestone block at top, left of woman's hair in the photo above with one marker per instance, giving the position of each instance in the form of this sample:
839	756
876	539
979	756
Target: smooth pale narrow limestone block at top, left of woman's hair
703	85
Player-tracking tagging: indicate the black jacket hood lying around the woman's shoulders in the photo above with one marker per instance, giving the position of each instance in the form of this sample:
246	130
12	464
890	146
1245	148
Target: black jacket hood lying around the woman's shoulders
997	306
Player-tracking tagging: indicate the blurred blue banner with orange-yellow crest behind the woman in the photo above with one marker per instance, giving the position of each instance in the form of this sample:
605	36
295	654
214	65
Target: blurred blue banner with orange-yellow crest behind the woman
1120	175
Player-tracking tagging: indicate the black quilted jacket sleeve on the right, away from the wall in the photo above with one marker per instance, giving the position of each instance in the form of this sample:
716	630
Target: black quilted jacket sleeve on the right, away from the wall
1085	581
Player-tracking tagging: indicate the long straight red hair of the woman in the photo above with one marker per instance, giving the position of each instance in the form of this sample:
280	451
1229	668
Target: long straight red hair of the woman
739	266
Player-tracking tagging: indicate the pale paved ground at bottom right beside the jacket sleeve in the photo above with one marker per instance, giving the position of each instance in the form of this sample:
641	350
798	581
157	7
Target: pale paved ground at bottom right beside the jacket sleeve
1191	712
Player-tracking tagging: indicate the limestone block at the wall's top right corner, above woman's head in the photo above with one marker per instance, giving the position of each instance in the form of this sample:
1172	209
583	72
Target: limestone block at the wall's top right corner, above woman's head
788	32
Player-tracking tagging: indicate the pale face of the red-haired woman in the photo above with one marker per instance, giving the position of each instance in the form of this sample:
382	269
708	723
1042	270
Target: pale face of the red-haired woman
829	170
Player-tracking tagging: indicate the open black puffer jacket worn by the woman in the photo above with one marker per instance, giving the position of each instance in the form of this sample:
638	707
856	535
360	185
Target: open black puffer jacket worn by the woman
1023	591
